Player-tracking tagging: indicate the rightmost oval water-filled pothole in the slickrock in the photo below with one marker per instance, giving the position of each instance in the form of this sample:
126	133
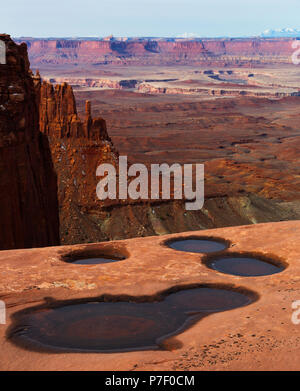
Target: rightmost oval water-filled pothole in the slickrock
246	265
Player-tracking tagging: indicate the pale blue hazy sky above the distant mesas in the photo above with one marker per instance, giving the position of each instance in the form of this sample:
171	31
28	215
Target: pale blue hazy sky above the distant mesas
210	18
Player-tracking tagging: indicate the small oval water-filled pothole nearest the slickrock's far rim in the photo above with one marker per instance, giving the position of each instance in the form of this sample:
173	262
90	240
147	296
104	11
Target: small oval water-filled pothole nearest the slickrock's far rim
198	244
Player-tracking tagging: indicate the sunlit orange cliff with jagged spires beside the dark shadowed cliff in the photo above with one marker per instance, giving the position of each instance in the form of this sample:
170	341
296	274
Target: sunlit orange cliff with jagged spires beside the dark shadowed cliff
78	148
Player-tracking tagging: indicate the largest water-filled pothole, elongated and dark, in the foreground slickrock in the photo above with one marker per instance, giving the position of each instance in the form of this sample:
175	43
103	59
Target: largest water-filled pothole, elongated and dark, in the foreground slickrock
107	325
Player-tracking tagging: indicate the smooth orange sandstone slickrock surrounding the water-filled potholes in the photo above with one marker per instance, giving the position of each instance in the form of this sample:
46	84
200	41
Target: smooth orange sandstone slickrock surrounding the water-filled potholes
258	337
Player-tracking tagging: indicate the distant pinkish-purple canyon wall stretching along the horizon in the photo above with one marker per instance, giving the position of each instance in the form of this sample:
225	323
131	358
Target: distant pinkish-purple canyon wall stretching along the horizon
222	52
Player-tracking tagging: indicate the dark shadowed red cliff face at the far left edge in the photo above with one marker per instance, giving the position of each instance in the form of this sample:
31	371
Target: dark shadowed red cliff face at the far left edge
28	189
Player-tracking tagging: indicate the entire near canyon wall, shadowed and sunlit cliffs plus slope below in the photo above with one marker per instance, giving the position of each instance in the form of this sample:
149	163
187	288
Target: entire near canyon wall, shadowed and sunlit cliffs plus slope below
41	133
